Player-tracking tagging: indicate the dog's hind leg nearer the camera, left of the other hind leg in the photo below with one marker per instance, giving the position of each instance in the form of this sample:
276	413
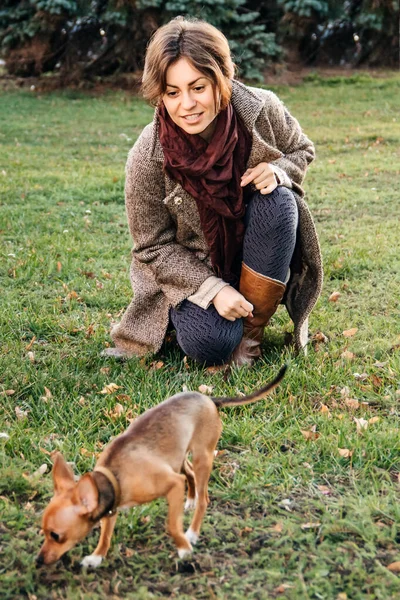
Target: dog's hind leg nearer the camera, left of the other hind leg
175	497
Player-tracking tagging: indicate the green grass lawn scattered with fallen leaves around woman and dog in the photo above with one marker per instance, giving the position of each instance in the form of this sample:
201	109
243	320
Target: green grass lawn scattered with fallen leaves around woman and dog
64	279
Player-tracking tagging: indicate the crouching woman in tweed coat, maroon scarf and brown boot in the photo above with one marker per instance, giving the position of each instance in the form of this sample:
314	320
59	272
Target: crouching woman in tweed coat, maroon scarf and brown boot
214	204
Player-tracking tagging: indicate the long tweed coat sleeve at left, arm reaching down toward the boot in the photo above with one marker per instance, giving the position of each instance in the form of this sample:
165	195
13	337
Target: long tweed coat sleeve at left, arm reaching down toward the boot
176	269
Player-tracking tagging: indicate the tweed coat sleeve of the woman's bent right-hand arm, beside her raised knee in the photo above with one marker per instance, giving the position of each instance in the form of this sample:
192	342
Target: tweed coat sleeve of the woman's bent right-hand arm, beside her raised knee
288	137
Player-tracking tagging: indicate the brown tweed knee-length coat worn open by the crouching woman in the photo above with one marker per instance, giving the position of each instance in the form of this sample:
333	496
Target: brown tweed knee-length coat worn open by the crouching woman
170	259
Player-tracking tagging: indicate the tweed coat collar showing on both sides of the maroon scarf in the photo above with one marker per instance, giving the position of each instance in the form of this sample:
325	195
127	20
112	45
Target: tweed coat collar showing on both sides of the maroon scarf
245	102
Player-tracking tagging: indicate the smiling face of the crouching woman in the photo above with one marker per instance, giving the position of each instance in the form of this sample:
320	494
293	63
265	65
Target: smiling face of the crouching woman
189	99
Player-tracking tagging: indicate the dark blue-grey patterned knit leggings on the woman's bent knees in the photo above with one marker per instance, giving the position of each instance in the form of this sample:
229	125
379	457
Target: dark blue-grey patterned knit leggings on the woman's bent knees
269	241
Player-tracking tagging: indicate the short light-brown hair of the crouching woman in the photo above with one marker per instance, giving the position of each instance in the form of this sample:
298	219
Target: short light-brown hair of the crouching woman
204	46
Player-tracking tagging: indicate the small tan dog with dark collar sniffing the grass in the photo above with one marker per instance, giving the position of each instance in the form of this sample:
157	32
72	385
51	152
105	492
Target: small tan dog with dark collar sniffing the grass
147	461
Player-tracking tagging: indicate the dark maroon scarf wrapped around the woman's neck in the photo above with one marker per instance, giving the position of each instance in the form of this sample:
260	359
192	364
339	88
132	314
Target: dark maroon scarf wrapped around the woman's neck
211	173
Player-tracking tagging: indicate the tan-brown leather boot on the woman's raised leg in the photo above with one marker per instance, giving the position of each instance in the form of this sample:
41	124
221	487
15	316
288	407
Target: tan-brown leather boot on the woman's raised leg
265	294
